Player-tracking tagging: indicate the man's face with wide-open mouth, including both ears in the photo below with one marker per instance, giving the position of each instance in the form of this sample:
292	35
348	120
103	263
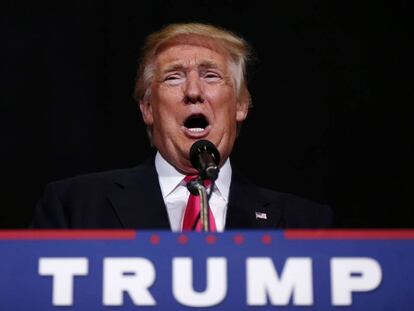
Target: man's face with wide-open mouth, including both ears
193	97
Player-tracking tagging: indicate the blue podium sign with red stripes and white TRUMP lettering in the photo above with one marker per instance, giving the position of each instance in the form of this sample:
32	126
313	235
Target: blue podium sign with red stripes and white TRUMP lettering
234	270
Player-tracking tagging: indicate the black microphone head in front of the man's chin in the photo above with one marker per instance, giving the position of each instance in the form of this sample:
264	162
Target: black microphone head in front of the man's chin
205	157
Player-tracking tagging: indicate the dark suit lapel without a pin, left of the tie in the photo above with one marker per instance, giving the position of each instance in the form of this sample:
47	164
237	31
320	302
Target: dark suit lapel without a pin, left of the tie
138	200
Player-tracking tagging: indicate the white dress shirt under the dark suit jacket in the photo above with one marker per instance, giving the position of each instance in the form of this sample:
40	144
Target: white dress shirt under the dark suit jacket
175	193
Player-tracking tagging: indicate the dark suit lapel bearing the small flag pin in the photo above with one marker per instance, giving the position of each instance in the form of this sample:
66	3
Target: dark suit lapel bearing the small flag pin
248	208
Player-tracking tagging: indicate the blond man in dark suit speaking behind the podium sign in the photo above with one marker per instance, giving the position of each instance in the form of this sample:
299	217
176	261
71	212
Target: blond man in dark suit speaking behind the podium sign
191	85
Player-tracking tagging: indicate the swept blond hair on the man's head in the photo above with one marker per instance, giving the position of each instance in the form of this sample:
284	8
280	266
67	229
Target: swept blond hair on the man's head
226	41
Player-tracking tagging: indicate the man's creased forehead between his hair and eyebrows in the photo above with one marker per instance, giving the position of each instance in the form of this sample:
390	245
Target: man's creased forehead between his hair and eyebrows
191	54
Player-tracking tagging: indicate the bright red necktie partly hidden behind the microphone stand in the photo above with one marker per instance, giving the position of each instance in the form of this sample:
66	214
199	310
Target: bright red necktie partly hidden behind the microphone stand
192	219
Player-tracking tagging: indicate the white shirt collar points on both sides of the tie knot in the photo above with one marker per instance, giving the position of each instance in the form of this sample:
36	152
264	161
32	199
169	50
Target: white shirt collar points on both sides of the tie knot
170	178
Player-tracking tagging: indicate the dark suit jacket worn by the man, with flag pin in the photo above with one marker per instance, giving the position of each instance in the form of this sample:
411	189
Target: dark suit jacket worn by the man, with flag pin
131	198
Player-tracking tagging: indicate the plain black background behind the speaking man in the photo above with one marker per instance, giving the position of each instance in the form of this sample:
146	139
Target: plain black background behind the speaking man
330	84
